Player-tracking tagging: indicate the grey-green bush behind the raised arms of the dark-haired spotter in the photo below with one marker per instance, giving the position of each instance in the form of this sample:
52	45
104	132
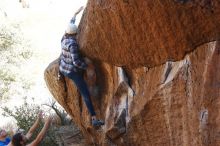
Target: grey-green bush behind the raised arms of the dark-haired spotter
25	115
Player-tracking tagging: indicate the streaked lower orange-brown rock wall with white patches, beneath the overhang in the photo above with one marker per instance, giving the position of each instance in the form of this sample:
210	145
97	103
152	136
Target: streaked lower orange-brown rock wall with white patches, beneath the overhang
173	104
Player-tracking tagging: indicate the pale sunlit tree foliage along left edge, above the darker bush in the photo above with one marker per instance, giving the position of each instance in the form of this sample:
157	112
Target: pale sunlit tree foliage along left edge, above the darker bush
13	52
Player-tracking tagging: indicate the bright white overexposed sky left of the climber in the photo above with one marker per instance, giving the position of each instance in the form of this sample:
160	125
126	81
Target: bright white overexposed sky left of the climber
43	24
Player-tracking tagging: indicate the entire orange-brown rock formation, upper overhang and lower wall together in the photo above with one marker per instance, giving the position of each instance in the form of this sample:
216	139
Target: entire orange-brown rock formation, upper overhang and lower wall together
169	104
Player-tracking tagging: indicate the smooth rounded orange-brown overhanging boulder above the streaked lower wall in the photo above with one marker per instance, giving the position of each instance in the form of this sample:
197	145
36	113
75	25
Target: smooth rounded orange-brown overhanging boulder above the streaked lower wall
147	32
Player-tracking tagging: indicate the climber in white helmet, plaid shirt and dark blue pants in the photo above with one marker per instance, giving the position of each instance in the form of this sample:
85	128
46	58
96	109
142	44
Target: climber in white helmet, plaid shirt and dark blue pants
73	66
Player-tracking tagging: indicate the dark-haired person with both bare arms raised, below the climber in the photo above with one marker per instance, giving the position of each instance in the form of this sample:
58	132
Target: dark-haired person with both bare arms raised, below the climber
19	139
